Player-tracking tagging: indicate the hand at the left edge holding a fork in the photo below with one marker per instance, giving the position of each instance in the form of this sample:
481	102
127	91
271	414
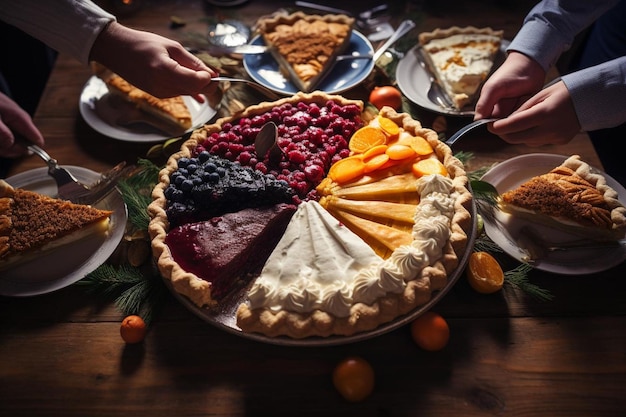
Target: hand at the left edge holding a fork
15	121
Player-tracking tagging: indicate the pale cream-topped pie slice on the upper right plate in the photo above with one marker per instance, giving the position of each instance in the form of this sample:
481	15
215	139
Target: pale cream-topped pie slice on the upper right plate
461	59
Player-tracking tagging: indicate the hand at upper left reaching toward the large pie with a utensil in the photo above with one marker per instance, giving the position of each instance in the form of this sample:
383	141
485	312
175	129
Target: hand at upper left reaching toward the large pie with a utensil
158	65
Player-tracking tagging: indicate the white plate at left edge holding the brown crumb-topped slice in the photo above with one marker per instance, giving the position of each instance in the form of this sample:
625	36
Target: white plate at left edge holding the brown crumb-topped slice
70	263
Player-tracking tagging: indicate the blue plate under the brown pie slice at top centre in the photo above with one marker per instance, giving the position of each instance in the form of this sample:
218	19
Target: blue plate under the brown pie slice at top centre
264	69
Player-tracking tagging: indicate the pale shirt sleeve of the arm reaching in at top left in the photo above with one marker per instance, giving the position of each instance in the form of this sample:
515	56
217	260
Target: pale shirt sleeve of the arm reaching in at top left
67	26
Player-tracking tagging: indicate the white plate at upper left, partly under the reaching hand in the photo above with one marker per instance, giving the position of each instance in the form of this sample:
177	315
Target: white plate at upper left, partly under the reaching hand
95	88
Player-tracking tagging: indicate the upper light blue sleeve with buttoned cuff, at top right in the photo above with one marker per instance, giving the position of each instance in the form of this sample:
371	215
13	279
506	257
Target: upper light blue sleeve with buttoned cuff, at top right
550	27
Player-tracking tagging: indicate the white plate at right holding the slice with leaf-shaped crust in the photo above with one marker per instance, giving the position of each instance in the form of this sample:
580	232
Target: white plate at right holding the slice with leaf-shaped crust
505	230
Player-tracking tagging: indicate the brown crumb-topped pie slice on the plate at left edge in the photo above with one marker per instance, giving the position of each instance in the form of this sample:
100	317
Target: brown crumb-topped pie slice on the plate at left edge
32	224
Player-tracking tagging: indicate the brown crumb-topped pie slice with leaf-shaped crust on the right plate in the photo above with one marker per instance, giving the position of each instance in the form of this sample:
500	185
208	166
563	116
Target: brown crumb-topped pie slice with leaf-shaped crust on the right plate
572	197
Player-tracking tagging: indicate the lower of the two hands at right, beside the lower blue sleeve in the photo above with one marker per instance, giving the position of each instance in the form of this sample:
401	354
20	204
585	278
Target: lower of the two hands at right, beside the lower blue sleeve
546	118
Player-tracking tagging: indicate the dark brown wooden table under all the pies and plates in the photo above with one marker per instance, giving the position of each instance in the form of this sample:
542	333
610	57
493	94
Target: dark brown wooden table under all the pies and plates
509	355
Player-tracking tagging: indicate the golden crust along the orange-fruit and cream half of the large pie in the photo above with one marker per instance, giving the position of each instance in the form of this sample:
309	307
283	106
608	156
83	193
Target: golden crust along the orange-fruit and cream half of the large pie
418	290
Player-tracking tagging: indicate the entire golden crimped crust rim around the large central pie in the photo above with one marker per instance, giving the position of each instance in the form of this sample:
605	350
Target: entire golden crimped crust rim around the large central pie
362	317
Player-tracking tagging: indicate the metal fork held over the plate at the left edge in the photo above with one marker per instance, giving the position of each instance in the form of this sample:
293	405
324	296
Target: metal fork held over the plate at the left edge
69	188
